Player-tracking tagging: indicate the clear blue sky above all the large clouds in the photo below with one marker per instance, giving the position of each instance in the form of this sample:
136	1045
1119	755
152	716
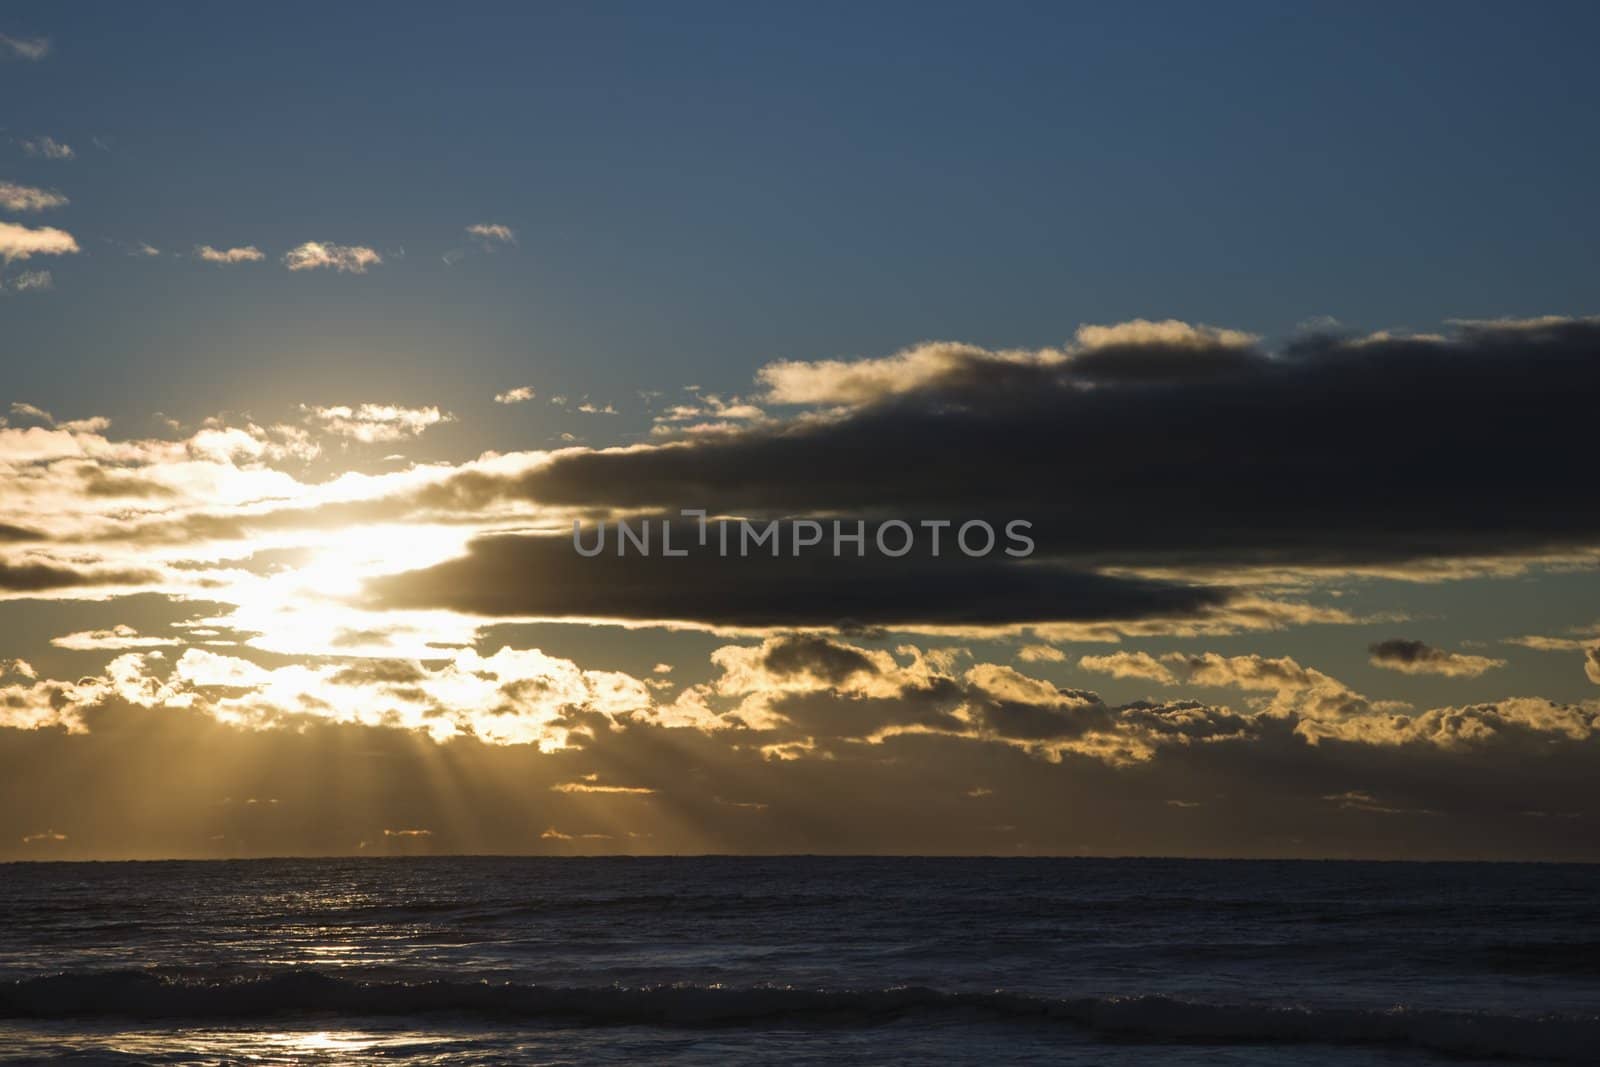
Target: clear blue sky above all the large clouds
878	178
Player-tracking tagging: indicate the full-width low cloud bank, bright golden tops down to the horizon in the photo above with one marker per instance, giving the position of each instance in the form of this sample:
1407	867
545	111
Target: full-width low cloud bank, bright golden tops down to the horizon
844	745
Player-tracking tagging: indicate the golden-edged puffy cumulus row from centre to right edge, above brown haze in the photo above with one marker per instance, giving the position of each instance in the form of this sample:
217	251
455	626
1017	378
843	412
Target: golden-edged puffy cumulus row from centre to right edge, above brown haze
804	690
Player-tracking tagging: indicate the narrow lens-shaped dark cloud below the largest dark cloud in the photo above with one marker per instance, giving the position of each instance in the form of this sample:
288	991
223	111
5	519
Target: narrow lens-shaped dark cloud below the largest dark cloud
545	577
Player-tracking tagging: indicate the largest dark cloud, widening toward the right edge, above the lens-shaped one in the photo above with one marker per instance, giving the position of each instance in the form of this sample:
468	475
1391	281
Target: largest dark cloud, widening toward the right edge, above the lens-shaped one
1335	452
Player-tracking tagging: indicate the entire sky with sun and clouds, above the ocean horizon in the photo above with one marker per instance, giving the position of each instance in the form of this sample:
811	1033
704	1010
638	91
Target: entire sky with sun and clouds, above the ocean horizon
1274	324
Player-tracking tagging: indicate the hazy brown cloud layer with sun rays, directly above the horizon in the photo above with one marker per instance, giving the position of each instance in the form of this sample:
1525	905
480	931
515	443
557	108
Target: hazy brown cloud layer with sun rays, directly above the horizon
342	785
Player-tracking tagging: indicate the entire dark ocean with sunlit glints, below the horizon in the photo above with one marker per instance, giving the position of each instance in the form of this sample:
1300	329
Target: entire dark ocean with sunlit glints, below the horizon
798	961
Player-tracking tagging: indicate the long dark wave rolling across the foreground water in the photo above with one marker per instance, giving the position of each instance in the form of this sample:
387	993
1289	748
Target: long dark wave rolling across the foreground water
146	997
